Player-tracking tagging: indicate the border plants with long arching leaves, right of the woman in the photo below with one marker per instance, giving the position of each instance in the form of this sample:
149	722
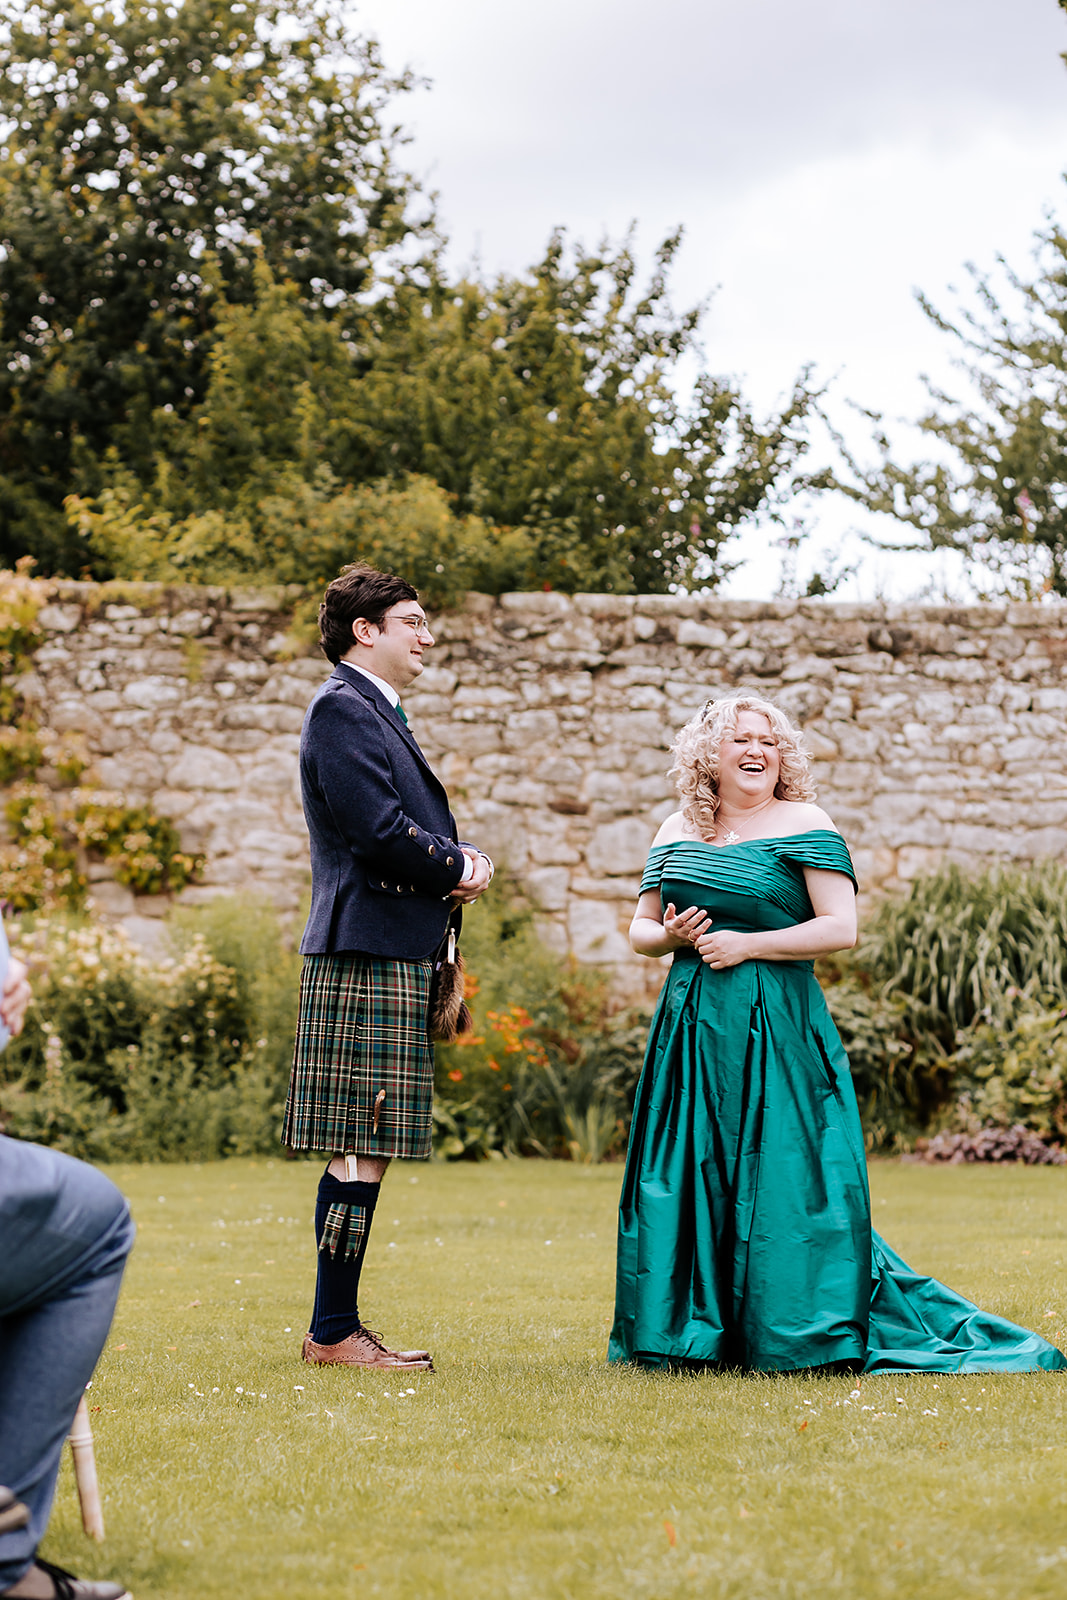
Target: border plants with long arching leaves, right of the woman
953	993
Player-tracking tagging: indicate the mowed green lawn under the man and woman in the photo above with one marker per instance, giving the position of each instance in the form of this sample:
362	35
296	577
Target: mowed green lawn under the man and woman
526	1466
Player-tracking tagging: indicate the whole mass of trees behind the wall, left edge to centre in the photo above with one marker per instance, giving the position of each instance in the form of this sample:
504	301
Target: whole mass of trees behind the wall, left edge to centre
217	356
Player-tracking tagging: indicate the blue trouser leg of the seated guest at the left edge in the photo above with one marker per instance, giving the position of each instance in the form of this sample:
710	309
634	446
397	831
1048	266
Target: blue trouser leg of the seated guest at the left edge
65	1239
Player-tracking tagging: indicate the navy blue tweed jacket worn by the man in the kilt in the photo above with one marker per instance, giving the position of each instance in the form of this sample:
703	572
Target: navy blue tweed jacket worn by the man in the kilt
385	854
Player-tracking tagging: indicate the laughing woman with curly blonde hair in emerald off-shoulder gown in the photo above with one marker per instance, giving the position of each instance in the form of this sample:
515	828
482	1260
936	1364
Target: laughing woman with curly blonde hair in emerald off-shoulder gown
745	1225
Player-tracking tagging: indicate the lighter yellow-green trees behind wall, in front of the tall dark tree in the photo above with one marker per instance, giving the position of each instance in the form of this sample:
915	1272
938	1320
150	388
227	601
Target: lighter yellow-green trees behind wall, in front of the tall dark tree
540	412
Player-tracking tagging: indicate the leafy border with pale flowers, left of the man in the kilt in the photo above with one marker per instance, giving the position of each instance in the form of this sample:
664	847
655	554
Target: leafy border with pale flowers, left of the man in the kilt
129	1058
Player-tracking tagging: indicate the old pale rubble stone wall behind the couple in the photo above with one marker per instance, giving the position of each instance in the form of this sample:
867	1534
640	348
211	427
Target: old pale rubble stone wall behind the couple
938	734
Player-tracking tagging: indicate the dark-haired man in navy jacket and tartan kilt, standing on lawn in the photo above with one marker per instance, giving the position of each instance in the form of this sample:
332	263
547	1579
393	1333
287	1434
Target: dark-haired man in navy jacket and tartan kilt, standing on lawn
386	874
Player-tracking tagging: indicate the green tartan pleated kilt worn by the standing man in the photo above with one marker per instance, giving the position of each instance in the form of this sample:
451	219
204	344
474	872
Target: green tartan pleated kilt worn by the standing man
362	1044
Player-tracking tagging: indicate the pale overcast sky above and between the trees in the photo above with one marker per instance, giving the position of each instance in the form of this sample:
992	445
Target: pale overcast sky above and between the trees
825	161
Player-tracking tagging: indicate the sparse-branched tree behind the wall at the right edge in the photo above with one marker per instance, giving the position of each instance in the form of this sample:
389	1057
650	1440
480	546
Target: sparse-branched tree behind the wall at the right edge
999	490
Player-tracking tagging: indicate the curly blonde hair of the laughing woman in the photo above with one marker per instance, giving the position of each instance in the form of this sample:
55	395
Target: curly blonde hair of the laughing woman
697	758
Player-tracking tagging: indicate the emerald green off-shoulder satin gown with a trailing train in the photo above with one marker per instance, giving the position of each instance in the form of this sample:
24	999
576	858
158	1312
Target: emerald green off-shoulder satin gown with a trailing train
745	1225
